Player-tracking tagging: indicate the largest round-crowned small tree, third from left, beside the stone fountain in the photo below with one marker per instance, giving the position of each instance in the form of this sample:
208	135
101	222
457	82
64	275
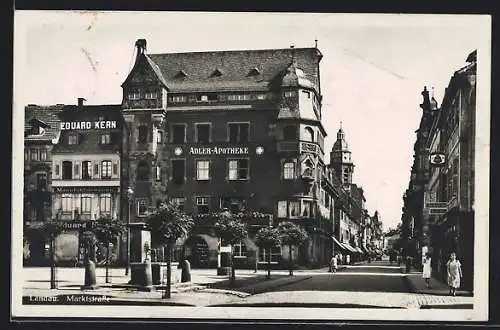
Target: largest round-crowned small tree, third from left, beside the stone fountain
168	224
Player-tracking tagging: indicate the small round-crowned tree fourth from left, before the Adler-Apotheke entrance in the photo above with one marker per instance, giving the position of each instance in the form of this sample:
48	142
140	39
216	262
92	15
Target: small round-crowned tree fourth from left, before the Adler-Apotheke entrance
232	231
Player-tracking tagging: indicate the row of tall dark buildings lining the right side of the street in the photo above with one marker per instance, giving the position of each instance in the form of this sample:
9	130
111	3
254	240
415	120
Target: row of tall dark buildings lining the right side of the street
438	214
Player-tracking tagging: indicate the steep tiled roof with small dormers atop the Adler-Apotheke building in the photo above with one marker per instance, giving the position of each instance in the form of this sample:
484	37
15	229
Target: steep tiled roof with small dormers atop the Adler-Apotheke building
235	66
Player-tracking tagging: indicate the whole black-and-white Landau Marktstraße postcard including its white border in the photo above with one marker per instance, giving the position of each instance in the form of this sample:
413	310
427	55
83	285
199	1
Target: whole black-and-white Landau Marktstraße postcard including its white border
250	166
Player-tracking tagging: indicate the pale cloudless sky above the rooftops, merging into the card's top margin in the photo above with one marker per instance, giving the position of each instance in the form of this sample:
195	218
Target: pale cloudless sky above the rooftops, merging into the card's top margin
373	70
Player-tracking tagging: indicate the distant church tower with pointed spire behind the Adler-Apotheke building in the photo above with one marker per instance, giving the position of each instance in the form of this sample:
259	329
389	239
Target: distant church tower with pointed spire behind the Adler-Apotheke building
340	158
